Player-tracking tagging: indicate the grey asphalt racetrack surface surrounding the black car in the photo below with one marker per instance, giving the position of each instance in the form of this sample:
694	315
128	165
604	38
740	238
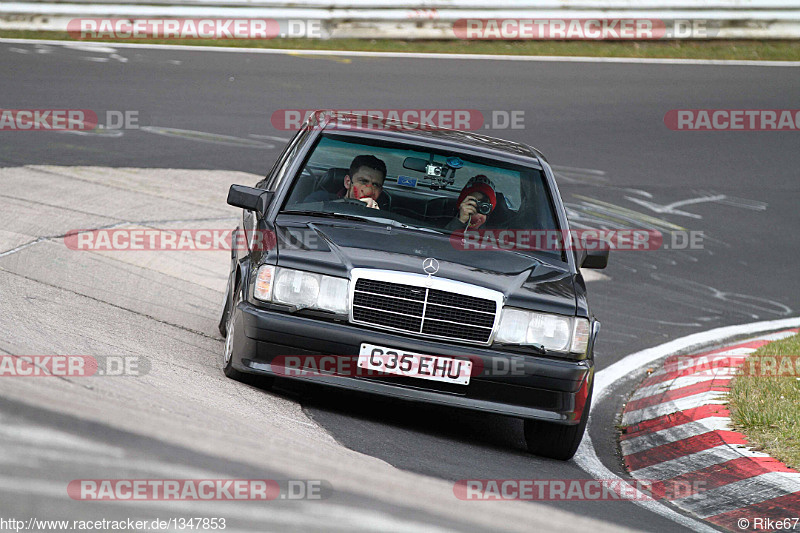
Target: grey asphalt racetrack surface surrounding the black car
601	123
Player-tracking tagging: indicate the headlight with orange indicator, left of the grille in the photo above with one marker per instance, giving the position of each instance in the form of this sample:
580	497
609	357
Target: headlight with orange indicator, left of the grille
301	289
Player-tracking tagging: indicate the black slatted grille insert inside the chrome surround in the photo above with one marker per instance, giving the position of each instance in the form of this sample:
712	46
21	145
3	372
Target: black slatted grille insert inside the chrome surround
422	310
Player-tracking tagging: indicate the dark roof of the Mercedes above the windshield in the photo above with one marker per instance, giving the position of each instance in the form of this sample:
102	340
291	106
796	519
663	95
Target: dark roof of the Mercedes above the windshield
390	129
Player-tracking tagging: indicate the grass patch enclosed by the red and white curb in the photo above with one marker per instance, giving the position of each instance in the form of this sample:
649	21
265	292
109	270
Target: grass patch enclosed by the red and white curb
767	409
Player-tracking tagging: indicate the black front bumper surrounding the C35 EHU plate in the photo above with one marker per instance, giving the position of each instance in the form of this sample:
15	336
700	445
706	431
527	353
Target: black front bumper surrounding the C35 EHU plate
510	384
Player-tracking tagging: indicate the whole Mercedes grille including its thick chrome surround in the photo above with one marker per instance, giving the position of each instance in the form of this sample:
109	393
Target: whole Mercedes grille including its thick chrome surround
430	307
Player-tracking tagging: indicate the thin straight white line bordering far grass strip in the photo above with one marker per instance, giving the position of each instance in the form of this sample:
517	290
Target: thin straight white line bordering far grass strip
413	55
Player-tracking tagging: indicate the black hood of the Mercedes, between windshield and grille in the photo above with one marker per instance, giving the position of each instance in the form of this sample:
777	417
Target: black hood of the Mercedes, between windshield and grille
335	247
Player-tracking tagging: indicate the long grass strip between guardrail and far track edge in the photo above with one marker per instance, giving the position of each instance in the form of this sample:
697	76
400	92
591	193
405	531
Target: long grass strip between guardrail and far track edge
753	50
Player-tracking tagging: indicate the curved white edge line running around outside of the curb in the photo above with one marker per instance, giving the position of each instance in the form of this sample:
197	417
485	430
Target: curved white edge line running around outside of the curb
587	459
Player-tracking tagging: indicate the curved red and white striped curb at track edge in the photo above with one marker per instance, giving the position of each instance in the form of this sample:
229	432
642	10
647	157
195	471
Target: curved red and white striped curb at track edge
678	433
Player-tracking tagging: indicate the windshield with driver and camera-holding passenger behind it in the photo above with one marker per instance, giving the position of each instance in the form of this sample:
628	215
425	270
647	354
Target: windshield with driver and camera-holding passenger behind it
420	188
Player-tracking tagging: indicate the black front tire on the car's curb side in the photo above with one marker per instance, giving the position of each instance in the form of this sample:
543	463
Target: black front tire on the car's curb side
556	441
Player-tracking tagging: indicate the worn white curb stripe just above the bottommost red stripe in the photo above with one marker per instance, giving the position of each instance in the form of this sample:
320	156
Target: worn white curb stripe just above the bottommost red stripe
756	489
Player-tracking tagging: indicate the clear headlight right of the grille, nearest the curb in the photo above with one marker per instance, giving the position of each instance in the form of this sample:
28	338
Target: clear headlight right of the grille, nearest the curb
554	332
